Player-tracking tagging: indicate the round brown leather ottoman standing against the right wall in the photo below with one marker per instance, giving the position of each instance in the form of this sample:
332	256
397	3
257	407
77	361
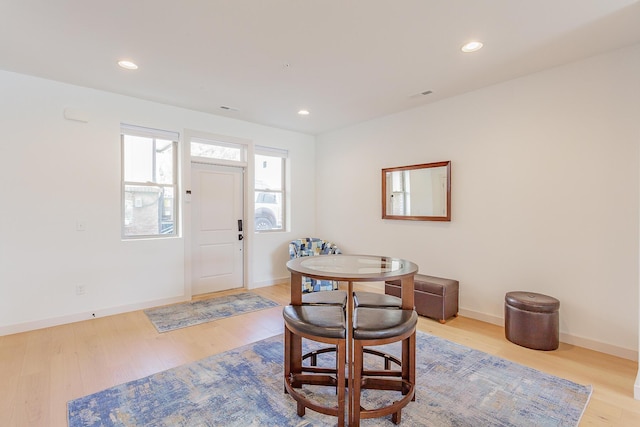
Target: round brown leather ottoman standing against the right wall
532	320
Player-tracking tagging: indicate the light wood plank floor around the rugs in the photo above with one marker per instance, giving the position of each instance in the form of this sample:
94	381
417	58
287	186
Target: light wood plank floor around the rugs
41	370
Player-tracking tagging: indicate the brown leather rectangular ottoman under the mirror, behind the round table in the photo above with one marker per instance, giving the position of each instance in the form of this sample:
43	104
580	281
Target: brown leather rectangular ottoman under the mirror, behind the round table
434	297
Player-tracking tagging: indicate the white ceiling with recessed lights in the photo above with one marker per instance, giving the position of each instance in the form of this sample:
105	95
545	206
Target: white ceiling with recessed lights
346	61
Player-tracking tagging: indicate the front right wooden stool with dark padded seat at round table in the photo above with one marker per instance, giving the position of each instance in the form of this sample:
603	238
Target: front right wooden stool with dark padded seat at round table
379	326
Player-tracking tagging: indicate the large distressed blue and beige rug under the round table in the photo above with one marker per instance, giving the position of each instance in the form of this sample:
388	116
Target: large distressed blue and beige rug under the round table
456	386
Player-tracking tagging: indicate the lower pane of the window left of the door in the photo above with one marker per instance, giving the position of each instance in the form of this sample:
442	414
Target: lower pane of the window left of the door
148	210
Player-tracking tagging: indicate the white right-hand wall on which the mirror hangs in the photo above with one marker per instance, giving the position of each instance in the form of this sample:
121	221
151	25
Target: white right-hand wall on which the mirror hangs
544	194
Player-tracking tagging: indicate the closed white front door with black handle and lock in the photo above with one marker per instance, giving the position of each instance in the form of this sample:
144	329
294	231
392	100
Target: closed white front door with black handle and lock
217	212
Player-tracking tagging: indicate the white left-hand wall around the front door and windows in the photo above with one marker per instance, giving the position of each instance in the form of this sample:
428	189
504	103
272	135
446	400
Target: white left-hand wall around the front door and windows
55	172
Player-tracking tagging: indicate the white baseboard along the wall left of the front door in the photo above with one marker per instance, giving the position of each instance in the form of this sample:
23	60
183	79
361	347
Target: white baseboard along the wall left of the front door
78	317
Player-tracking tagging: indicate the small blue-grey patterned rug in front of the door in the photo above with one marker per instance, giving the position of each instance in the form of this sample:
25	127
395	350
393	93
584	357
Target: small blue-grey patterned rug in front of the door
176	316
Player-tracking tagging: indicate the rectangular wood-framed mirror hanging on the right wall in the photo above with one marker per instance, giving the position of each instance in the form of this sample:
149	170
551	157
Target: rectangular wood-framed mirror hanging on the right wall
417	192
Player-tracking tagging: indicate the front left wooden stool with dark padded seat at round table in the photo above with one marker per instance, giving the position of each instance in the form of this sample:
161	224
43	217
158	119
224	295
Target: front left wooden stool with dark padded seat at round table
322	323
